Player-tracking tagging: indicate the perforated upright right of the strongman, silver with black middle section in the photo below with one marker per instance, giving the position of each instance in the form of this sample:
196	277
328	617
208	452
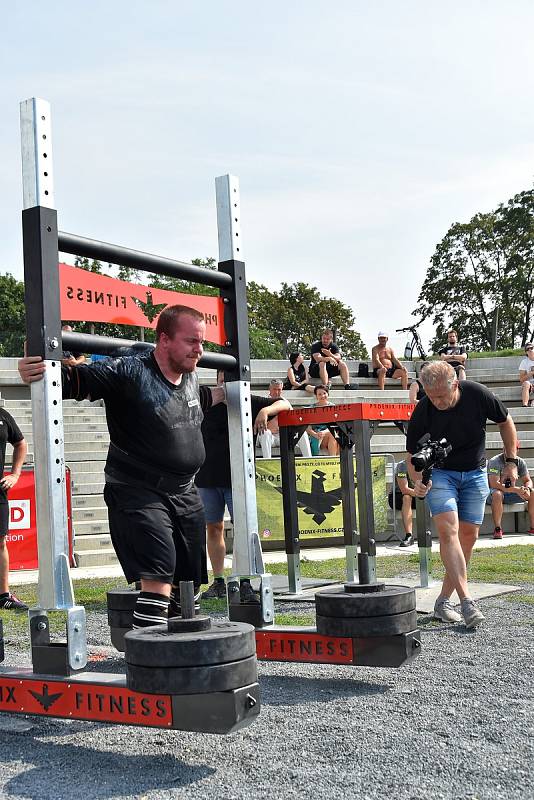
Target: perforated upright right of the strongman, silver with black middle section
247	556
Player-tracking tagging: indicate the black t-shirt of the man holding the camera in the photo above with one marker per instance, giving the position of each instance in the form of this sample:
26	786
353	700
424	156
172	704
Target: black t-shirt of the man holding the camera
464	426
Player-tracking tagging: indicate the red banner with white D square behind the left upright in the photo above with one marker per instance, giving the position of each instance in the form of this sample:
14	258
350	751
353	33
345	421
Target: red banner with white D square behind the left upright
21	539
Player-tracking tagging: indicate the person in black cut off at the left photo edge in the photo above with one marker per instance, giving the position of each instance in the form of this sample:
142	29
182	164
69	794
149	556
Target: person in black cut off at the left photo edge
9	432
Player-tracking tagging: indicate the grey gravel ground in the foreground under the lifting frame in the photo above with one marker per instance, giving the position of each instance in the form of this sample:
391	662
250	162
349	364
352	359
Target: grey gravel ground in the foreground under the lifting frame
455	723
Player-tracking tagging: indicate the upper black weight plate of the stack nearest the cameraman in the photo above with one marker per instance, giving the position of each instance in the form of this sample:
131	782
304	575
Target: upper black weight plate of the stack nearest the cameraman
338	603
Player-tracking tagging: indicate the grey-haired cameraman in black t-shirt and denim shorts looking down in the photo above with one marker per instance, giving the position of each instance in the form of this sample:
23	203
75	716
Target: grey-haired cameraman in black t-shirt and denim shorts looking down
456	495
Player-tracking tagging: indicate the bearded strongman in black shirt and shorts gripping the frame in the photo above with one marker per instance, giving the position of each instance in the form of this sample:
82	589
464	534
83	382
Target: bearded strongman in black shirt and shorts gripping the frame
154	410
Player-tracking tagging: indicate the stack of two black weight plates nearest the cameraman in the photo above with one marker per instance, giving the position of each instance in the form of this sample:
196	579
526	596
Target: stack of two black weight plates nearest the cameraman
363	610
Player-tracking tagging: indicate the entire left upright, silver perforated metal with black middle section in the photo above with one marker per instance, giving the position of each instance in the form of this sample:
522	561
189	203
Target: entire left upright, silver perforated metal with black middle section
43	334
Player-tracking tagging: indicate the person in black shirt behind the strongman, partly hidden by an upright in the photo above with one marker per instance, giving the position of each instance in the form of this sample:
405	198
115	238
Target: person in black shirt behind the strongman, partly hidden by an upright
214	480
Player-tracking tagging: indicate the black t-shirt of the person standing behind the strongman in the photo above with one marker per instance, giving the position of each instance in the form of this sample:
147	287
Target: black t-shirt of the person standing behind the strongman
216	471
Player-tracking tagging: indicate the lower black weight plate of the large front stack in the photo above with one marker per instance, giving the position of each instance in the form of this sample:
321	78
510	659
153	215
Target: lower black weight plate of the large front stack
192	680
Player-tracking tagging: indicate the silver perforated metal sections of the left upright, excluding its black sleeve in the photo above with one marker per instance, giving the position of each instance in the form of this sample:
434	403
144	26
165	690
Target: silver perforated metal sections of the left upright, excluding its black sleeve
55	585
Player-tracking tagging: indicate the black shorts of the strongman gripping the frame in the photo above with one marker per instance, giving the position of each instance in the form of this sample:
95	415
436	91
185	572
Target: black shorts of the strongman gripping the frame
157	536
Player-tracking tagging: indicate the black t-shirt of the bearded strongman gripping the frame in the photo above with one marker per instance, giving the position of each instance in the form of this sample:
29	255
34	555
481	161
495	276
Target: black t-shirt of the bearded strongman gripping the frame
152	422
